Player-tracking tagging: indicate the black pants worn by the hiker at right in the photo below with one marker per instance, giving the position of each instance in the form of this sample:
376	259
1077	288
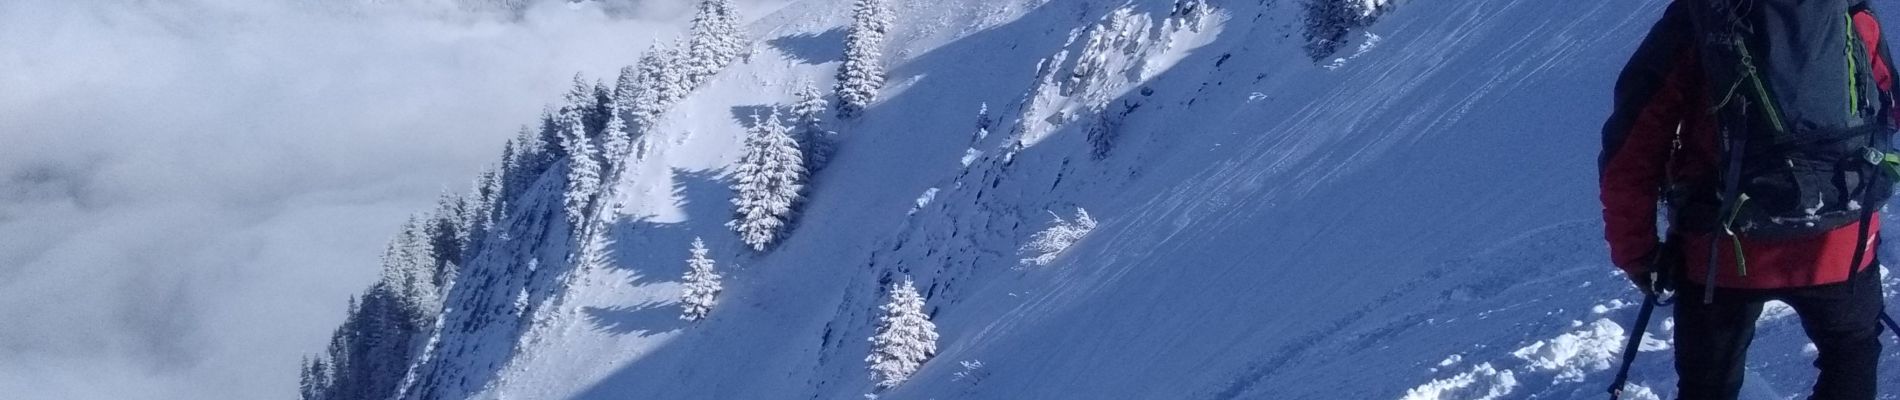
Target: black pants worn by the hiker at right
1842	319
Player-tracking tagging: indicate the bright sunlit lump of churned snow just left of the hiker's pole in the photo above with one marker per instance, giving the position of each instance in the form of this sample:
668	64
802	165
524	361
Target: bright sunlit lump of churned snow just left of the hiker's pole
1578	354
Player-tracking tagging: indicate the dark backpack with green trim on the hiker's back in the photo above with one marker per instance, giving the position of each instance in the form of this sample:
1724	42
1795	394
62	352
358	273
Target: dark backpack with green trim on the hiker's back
1806	130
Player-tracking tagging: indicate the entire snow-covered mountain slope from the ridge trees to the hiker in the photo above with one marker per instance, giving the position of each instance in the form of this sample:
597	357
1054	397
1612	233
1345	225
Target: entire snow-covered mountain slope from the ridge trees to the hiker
1415	219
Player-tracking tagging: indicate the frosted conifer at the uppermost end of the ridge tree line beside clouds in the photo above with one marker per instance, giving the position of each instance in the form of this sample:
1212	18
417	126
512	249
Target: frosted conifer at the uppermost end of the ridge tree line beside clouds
715	41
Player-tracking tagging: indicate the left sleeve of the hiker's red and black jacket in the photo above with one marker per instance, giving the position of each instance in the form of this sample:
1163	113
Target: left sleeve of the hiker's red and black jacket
1650	105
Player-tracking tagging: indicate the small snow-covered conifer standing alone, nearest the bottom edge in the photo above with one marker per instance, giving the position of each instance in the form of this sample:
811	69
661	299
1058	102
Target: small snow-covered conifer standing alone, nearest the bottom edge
907	338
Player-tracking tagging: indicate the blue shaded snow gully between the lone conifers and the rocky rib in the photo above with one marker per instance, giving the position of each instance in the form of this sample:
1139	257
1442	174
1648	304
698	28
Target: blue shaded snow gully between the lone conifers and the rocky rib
801	323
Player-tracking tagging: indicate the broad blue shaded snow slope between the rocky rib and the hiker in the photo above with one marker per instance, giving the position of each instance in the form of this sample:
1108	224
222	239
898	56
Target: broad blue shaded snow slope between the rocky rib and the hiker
1477	126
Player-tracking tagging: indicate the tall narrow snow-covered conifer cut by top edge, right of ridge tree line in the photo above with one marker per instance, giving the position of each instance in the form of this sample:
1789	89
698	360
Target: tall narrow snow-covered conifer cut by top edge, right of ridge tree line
862	75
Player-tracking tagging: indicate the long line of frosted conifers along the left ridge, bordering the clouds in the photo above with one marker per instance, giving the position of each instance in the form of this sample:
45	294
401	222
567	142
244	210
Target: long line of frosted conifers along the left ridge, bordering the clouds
584	143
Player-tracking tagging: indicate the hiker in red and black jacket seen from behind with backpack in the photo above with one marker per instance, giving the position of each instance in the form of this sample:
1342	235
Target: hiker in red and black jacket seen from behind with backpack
1696	113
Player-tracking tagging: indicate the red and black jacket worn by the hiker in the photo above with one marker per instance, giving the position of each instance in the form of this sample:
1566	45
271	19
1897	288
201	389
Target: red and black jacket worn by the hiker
1660	100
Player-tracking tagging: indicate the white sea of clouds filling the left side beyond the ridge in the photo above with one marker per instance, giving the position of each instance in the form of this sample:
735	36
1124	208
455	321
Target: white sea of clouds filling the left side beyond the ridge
193	189
